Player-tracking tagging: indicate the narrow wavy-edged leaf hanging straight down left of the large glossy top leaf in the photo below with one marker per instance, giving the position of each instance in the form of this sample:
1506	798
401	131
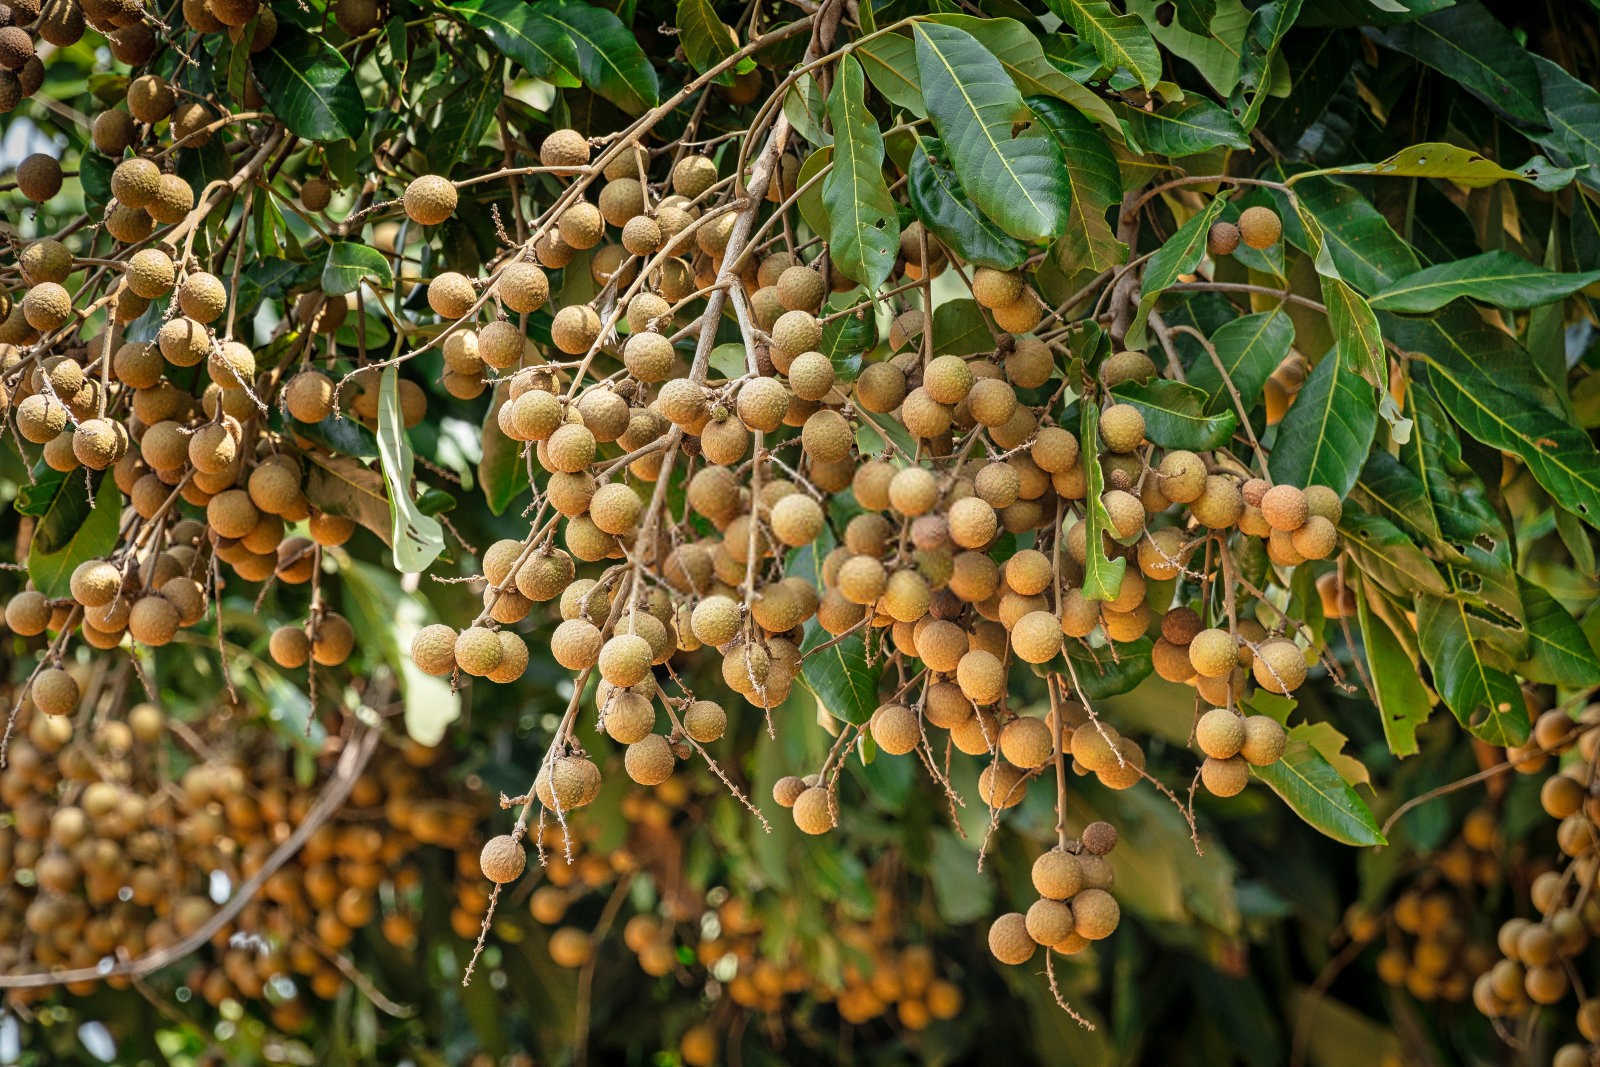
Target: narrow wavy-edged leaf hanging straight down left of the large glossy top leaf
863	228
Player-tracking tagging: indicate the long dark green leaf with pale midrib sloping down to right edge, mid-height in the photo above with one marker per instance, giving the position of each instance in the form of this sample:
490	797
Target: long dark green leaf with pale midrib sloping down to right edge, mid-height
1505	407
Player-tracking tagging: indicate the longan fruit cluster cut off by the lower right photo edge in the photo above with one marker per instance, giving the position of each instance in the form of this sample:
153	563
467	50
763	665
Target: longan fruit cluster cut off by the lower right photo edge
1542	956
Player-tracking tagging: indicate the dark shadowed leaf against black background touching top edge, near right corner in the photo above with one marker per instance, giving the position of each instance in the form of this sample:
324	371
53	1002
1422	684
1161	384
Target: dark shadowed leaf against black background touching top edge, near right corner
1471	49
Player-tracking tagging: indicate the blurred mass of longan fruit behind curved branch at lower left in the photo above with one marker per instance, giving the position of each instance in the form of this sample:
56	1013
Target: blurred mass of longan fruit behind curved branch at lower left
105	858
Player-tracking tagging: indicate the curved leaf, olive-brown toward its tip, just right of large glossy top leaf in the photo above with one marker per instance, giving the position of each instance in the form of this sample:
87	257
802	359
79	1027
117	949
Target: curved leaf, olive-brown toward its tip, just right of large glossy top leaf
1089	244
